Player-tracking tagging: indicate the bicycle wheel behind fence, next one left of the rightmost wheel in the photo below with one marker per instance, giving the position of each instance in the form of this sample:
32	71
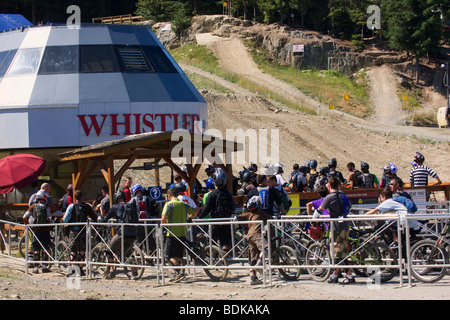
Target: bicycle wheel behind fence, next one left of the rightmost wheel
377	254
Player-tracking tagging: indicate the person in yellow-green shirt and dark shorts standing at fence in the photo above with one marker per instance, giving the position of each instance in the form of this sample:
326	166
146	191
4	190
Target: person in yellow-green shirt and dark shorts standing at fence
175	211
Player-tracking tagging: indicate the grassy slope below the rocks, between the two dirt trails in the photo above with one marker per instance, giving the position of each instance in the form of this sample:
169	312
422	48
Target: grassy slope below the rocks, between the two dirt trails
329	87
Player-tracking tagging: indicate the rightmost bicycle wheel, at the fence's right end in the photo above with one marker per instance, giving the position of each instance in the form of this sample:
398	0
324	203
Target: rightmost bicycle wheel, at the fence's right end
426	252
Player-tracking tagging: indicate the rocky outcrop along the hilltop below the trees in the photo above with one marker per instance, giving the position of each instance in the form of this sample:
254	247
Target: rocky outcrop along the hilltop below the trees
320	51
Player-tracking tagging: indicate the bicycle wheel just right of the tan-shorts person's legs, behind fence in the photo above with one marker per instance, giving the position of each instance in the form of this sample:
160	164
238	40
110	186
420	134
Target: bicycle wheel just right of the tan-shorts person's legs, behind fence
287	256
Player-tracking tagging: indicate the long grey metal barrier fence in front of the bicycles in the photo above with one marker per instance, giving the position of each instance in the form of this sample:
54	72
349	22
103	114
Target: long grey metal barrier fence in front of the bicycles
207	256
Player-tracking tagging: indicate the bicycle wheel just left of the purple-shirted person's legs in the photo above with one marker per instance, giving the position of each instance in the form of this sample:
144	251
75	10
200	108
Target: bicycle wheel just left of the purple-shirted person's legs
318	255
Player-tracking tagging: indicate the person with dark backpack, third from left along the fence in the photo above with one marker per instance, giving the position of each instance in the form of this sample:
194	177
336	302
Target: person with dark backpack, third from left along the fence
119	211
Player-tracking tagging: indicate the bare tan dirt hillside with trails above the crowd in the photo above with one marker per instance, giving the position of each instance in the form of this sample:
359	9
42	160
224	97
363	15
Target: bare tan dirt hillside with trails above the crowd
377	140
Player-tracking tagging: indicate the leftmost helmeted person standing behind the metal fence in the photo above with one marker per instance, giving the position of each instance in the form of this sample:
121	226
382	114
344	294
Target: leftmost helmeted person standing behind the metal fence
39	213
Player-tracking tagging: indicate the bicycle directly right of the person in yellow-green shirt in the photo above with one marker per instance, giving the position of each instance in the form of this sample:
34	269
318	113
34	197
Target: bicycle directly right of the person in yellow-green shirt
200	253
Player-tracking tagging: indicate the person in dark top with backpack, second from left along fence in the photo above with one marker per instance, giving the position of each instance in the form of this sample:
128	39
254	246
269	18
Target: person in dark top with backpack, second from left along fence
78	212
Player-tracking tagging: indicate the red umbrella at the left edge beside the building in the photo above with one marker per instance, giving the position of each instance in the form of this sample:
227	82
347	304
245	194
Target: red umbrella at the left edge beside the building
19	170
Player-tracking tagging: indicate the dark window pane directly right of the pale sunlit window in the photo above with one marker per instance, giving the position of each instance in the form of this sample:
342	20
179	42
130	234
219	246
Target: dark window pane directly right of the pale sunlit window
62	59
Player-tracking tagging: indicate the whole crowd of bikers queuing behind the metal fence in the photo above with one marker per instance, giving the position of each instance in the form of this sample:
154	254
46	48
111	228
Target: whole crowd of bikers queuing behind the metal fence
266	195
